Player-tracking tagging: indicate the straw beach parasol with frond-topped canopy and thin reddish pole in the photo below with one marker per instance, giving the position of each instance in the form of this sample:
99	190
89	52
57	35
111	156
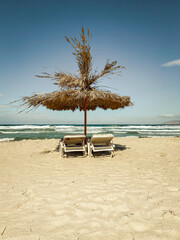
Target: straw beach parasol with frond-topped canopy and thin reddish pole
79	91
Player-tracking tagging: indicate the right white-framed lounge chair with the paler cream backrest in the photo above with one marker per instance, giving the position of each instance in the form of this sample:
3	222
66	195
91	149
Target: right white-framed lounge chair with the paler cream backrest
100	143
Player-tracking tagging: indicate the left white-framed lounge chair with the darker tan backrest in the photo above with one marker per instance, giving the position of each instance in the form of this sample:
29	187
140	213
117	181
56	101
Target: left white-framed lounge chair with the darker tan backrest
72	143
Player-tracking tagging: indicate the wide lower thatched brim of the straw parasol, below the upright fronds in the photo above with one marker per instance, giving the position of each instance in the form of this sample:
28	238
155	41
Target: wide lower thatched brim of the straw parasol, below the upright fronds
63	100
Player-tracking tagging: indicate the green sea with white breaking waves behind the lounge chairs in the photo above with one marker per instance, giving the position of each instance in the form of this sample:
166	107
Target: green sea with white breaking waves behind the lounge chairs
19	132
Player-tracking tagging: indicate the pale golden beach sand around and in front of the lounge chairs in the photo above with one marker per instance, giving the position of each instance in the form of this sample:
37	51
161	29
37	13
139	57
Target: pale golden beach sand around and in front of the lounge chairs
133	196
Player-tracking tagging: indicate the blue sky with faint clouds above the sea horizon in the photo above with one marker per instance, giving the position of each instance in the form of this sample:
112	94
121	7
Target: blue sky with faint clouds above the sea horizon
143	36
